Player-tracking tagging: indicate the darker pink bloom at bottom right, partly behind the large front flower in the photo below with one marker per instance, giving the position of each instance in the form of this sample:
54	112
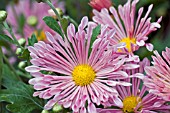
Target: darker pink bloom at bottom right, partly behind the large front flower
135	98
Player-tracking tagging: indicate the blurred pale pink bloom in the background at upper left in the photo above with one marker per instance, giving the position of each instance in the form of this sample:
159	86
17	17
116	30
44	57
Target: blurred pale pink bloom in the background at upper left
26	18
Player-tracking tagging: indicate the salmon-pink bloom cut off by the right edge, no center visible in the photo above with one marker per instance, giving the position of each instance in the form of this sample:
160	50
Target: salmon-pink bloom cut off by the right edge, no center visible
158	79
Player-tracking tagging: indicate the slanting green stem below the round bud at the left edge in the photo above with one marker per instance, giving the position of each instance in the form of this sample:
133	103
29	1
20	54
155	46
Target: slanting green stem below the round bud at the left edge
12	34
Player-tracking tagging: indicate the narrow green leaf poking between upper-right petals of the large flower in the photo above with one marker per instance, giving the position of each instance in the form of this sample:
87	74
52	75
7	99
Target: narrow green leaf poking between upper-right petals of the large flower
95	33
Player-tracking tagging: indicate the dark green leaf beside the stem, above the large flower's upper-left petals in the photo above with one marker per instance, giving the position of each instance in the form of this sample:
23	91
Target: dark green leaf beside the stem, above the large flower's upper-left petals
53	24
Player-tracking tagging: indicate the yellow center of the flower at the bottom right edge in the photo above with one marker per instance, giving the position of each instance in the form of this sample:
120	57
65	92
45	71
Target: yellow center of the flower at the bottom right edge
129	103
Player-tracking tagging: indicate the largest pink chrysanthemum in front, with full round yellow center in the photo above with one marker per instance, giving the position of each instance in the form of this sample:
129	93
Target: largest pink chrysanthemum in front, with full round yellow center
78	78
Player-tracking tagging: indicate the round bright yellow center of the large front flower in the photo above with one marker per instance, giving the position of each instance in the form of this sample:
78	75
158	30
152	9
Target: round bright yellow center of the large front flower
83	75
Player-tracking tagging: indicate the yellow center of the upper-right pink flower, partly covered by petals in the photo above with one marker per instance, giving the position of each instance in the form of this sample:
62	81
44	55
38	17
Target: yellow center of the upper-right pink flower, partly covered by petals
128	42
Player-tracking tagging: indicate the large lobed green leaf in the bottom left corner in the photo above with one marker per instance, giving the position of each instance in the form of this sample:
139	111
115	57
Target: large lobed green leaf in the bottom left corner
20	98
